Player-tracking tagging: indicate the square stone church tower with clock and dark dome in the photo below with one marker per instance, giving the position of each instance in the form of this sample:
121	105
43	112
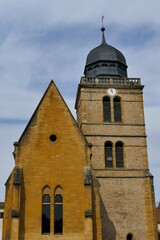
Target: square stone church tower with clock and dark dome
110	114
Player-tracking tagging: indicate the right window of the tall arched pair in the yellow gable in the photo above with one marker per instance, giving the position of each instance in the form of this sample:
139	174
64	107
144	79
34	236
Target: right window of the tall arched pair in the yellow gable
58	211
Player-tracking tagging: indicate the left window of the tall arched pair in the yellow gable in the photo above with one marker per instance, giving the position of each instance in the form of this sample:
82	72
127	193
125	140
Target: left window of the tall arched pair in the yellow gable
46	203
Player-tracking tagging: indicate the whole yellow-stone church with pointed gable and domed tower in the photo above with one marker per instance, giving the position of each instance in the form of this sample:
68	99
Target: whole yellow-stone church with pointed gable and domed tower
87	179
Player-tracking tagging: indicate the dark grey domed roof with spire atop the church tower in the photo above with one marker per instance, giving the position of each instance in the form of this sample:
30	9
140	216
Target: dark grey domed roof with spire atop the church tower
105	60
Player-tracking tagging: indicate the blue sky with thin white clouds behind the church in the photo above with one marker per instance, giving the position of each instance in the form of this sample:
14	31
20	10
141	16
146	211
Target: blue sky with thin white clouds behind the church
44	40
